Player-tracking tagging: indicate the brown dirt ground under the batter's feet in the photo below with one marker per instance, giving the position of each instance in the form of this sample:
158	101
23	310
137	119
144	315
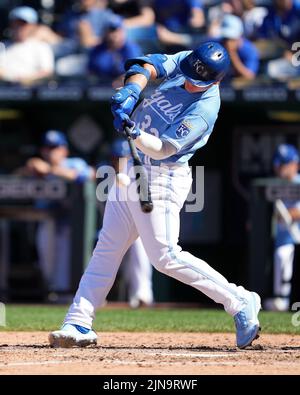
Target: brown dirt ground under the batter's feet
150	353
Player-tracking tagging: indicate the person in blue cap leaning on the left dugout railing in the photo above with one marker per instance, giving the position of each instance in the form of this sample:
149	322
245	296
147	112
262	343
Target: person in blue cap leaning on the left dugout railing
54	254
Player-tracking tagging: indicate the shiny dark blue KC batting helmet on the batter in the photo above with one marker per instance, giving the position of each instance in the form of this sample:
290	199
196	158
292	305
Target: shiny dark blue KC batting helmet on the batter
206	64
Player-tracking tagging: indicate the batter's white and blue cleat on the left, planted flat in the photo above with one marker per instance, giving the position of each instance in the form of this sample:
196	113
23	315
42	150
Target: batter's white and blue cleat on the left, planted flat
71	335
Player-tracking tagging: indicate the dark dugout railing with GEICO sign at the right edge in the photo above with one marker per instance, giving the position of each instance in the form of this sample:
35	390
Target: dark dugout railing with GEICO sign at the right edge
264	194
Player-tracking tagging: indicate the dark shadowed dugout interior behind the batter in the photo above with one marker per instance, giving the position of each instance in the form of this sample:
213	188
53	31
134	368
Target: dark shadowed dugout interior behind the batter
252	121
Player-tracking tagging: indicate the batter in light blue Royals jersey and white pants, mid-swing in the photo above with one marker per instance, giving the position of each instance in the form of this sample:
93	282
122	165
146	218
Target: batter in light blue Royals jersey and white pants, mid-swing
168	127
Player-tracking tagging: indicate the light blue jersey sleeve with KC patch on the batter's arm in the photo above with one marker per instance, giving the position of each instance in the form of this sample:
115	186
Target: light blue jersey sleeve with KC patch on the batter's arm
187	131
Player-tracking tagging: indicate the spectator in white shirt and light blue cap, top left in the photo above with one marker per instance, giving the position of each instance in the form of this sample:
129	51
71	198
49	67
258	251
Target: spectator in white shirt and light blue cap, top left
26	59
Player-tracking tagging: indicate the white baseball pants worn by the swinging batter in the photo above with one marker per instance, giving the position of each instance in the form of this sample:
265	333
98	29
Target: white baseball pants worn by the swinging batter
124	222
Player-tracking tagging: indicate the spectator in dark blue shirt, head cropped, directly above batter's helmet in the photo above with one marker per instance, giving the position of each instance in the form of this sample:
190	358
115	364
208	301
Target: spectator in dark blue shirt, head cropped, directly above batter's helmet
177	20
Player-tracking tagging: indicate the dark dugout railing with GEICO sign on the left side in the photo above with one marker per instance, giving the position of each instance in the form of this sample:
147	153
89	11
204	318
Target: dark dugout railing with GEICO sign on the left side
20	277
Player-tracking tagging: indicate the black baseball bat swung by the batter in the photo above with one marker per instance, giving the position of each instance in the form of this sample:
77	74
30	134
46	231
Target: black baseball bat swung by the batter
140	175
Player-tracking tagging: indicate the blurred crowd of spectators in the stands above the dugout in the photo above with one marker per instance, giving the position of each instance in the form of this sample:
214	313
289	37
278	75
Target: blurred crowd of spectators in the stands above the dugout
93	38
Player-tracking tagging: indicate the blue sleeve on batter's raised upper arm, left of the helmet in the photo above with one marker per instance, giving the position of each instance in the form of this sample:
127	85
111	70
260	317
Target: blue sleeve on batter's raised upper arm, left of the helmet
164	65
